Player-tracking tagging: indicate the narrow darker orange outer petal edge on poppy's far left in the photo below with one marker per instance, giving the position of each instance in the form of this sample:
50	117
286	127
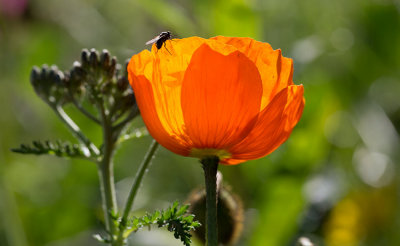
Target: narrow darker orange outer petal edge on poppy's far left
145	99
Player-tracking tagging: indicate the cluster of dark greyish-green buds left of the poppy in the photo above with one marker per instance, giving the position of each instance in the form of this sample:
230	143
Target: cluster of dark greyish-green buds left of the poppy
97	77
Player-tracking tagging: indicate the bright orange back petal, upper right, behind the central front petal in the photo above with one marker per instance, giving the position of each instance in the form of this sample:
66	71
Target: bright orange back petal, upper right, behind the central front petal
276	71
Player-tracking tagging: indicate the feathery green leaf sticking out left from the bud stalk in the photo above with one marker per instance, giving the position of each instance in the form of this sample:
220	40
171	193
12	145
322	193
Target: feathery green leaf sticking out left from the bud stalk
57	148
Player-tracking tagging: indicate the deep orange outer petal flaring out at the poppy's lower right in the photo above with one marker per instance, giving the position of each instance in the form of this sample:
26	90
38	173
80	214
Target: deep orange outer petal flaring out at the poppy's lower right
275	123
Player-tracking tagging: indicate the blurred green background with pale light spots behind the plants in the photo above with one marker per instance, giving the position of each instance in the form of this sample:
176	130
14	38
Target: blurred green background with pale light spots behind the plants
335	180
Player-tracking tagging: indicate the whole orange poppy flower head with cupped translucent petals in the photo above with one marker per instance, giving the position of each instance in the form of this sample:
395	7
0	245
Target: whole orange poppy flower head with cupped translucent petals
228	97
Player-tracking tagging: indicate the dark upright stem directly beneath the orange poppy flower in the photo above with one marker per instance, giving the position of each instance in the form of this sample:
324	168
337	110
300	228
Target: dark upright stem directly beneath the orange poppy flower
210	166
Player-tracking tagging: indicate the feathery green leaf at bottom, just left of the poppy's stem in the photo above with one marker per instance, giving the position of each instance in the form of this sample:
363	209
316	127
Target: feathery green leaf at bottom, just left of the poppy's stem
174	218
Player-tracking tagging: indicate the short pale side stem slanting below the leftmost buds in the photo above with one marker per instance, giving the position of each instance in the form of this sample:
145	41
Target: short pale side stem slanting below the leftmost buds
75	129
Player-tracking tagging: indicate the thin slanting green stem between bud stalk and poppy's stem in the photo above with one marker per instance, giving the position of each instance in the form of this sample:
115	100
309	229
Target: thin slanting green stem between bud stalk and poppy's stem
135	187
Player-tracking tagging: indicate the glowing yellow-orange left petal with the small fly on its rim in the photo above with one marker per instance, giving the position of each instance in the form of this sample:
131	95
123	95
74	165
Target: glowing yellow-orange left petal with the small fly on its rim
160	73
